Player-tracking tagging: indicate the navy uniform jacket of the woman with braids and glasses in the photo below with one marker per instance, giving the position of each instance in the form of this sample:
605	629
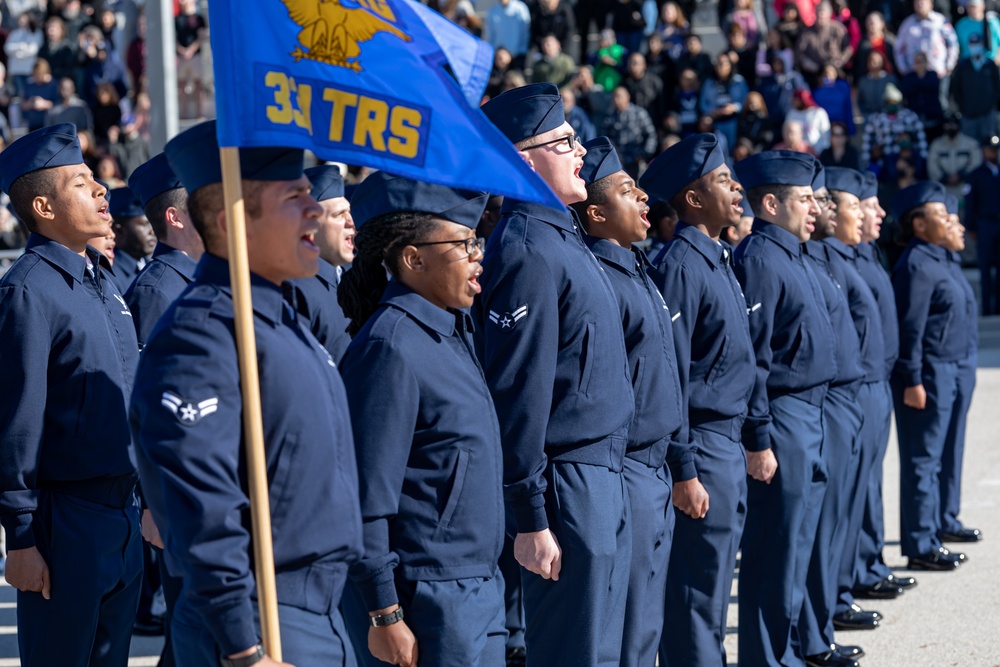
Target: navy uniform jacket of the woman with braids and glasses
428	448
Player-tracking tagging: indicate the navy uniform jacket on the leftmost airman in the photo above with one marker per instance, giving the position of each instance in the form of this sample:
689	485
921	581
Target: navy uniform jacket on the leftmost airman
68	355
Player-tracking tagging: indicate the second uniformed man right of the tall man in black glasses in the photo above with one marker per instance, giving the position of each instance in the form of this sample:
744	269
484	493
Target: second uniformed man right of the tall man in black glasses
716	362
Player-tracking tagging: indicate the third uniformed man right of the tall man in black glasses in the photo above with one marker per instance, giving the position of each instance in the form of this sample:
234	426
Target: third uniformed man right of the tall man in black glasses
794	345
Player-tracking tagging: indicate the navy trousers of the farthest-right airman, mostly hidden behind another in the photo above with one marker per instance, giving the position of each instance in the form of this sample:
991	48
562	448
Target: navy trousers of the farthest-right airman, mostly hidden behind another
954	447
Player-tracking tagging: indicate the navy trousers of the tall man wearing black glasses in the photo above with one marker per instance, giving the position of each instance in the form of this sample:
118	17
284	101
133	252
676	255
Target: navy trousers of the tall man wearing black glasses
588	511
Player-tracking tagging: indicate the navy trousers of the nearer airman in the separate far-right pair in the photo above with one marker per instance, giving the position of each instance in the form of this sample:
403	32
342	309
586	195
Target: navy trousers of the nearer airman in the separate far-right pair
922	436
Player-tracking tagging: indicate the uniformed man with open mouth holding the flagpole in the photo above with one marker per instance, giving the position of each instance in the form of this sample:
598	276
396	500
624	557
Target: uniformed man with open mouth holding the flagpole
187	418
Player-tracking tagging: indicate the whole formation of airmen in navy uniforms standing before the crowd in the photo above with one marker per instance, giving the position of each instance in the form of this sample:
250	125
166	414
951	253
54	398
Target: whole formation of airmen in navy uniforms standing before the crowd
591	387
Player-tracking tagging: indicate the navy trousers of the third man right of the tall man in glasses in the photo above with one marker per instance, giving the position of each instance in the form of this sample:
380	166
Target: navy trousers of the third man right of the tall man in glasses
780	530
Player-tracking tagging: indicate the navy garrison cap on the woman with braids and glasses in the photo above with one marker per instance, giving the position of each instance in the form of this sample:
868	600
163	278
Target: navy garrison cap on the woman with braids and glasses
383	193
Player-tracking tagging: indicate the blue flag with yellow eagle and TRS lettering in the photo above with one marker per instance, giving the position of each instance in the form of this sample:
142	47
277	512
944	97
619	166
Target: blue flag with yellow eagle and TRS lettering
381	83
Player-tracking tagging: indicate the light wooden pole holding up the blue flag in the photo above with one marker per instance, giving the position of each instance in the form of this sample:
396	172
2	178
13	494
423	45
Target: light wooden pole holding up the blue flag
246	345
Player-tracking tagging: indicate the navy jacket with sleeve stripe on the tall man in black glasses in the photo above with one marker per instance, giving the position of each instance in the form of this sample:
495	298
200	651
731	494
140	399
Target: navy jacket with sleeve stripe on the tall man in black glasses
550	338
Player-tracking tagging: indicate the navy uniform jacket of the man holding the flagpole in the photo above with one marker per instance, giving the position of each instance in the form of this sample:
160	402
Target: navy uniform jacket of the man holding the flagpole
187	418
